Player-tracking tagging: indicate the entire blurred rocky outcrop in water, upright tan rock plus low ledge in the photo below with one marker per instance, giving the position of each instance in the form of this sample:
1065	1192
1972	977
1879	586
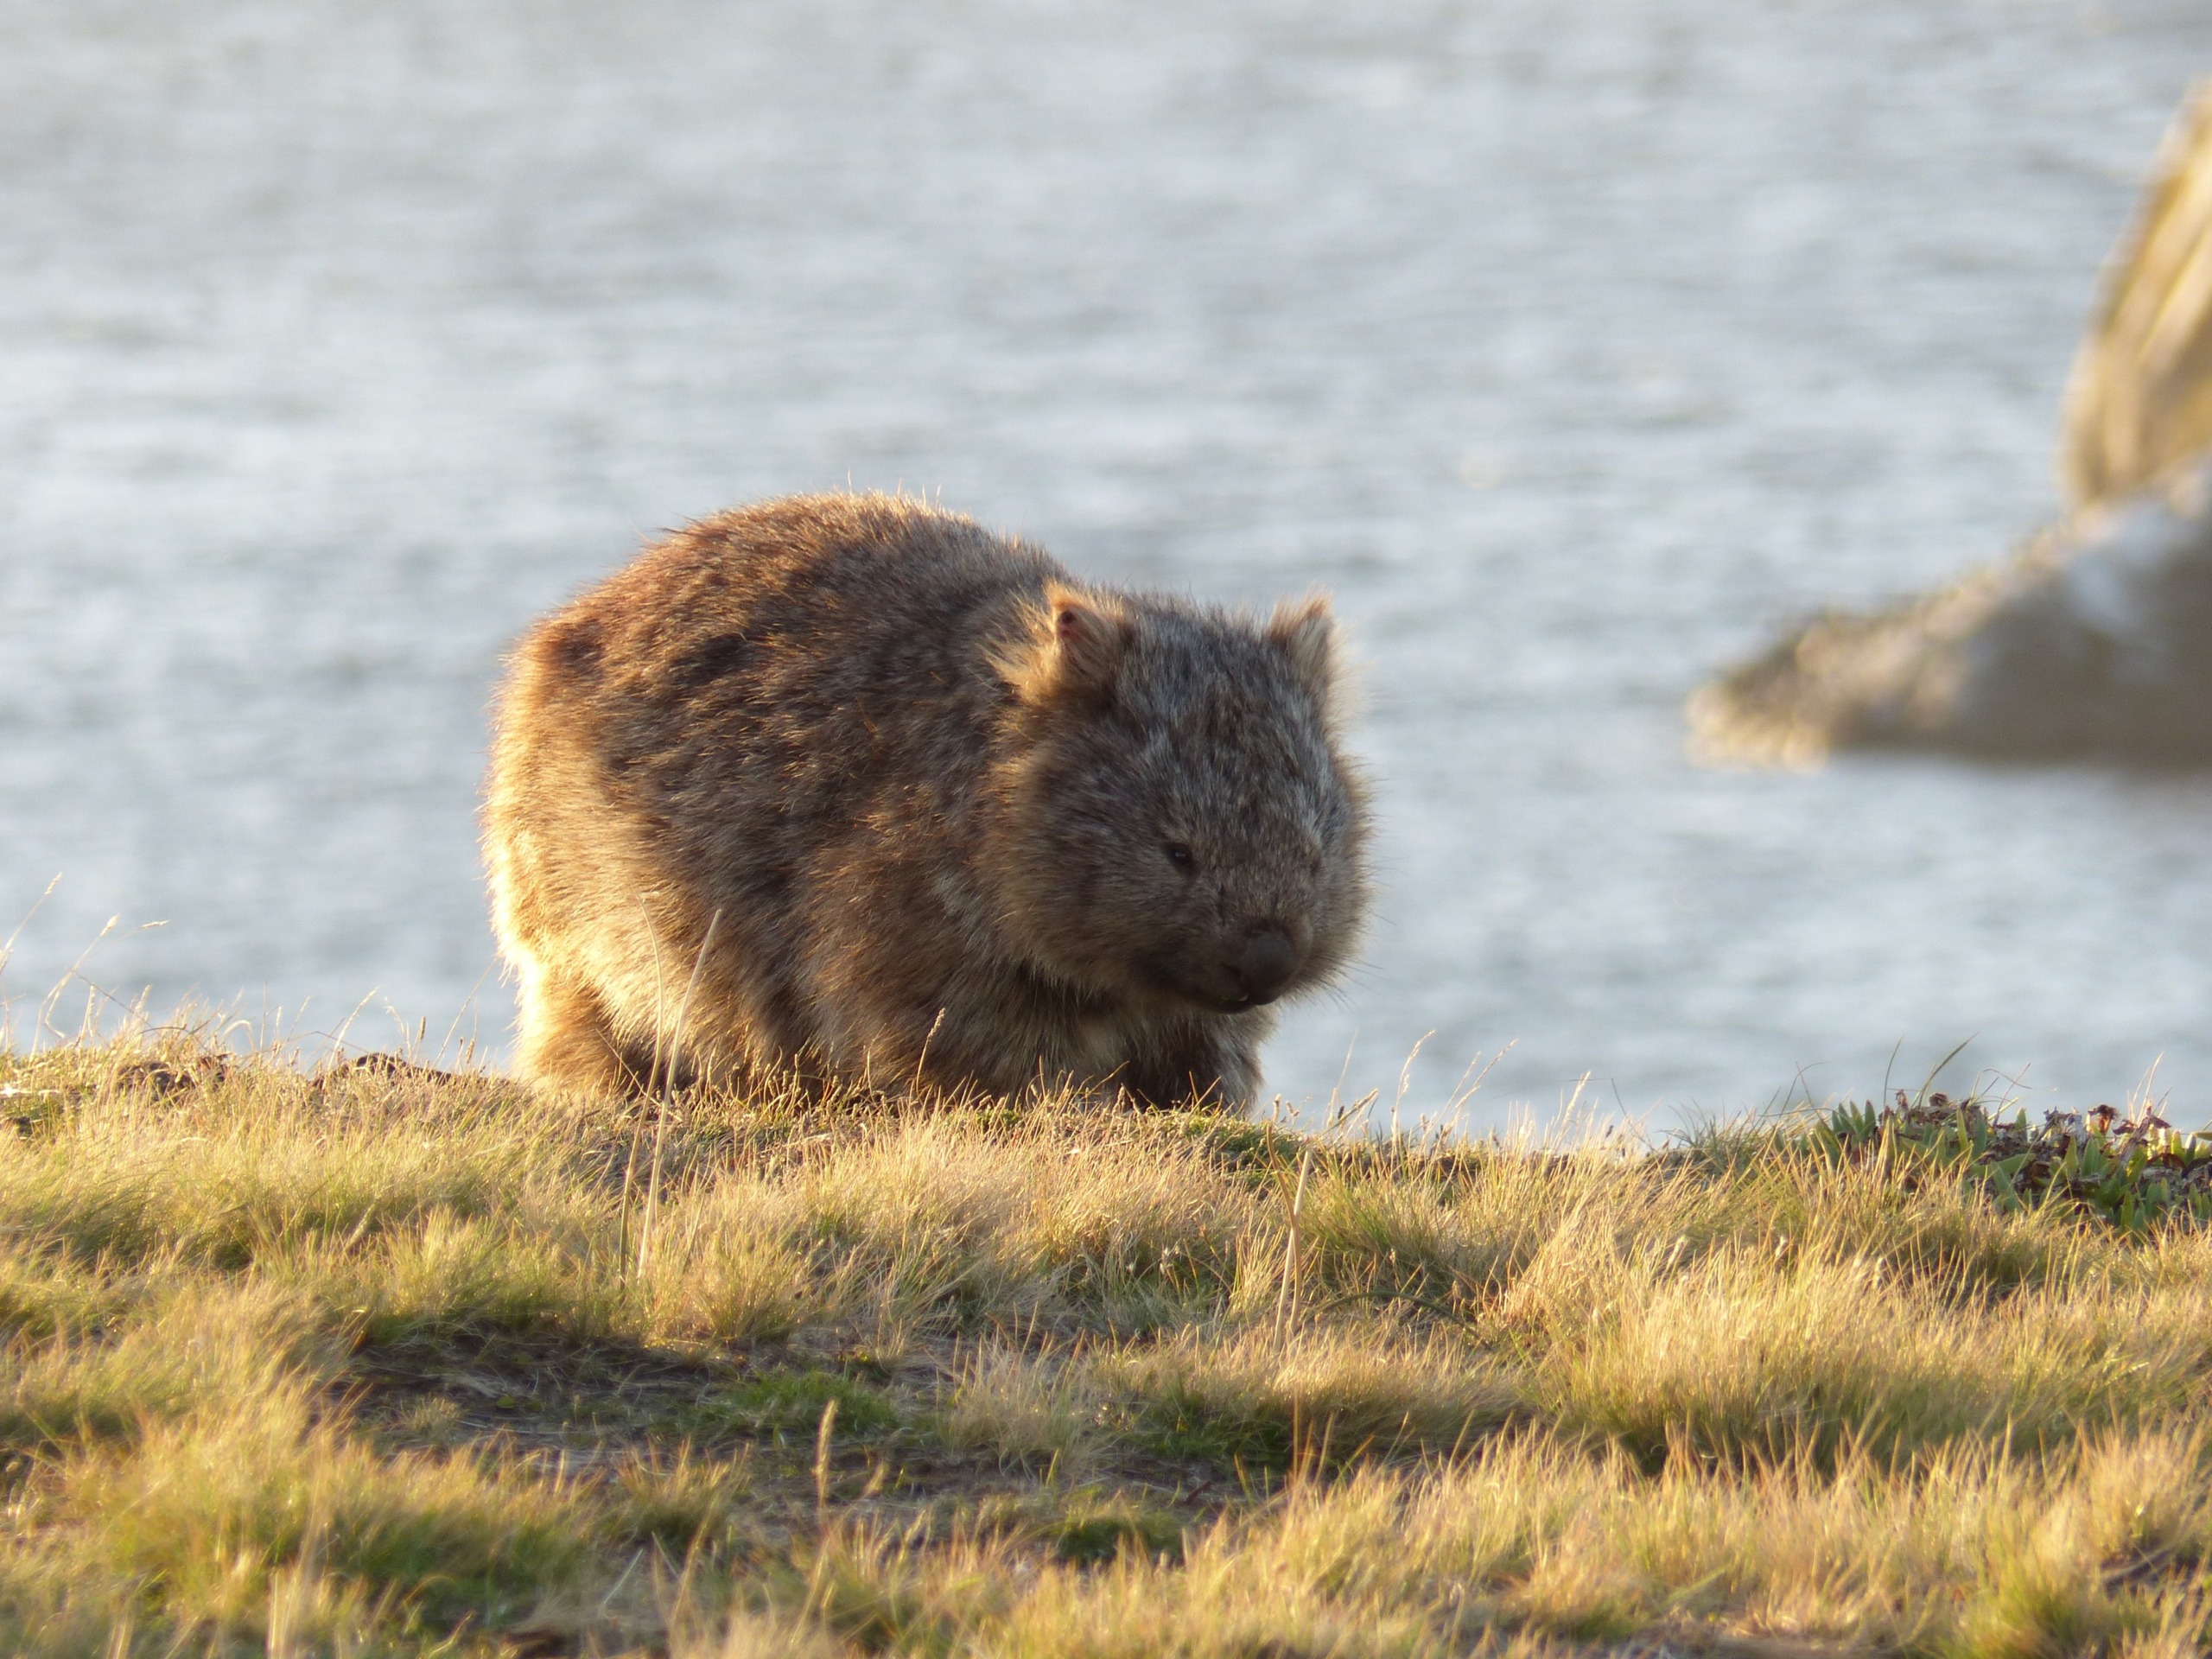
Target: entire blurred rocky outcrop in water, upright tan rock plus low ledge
2094	640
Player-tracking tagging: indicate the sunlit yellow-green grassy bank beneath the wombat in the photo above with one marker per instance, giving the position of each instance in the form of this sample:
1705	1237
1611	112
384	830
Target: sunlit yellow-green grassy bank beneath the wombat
404	1364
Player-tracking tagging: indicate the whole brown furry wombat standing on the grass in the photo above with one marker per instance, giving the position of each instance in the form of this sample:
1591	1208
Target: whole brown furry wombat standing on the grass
912	804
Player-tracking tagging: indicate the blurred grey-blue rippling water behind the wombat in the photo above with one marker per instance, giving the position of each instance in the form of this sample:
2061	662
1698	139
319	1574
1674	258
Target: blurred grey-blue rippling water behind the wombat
1569	344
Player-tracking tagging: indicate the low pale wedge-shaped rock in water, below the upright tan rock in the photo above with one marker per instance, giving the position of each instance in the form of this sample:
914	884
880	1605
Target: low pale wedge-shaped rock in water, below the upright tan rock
2096	640
